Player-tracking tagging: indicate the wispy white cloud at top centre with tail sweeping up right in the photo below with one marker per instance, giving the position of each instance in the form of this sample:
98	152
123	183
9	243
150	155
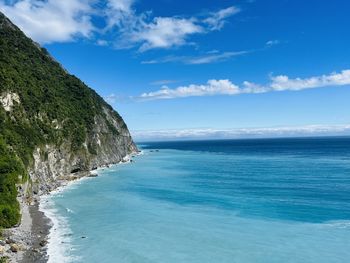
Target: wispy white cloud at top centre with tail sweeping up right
145	33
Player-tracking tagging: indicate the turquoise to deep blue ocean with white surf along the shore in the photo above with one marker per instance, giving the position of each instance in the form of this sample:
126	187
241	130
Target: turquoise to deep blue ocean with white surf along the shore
245	201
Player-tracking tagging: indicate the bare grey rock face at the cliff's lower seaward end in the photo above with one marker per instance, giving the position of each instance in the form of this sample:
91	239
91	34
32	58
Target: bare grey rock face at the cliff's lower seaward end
53	164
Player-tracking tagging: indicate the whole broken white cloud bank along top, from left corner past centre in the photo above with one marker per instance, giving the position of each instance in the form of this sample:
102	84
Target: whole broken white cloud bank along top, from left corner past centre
65	20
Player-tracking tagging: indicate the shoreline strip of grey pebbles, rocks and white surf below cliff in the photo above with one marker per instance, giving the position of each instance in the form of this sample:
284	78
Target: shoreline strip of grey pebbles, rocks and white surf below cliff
32	236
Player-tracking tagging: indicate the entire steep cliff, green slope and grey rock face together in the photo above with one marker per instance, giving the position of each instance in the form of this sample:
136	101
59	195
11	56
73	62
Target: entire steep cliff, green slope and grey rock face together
51	123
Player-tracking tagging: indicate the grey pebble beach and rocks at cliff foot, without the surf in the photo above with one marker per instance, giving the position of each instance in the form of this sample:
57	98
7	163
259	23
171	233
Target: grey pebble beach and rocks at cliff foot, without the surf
27	242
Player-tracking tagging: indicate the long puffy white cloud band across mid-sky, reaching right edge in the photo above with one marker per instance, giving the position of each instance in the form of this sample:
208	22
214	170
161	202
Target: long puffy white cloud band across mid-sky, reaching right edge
226	87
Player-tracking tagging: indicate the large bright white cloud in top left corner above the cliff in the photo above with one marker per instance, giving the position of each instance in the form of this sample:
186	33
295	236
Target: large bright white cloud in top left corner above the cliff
51	21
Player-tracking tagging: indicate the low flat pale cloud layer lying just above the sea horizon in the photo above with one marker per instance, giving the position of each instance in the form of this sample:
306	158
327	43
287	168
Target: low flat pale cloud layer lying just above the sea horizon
309	130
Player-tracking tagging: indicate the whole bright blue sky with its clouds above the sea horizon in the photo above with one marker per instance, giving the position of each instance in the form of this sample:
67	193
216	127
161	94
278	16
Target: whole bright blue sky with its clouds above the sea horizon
204	69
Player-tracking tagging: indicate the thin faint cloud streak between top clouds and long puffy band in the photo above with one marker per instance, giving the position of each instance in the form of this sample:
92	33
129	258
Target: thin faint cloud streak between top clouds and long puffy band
197	60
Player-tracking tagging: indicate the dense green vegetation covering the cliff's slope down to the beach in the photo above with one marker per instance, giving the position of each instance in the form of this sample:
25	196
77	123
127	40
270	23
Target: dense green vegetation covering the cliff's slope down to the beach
48	105
